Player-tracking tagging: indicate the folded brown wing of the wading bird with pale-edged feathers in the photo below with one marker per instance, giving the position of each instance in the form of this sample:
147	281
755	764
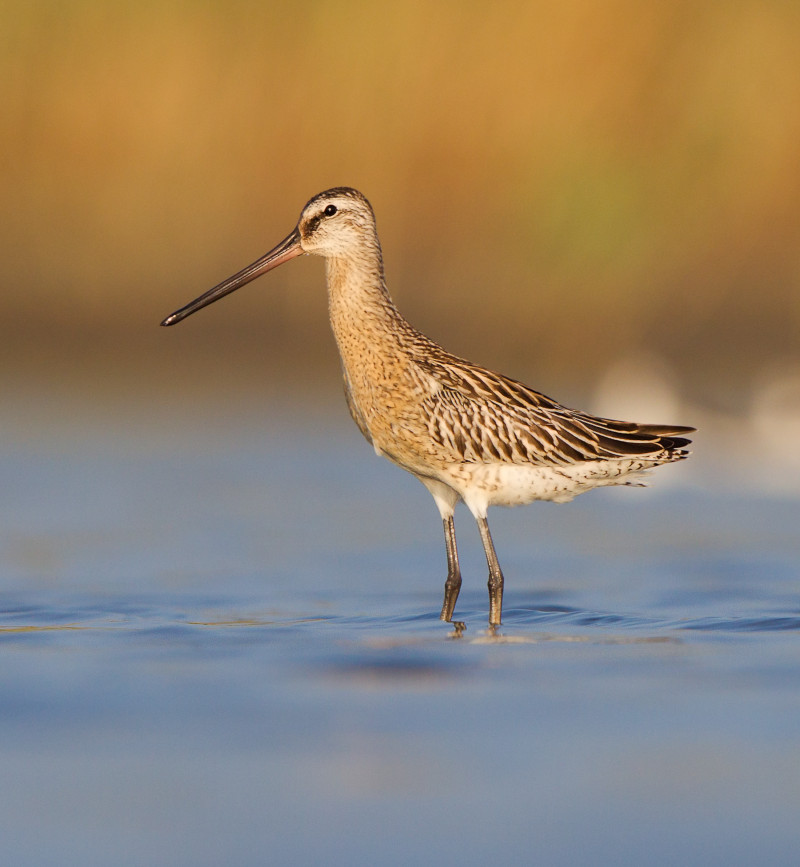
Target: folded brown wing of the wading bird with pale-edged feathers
483	416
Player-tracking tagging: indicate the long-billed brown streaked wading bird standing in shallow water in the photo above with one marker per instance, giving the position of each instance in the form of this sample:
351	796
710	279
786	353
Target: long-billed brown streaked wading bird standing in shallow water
466	433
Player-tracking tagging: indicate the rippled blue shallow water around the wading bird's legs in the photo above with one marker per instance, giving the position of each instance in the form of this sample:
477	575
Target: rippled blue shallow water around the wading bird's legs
220	645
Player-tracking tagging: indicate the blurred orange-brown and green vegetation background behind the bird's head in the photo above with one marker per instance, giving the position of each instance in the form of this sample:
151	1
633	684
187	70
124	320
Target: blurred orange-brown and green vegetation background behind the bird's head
557	185
